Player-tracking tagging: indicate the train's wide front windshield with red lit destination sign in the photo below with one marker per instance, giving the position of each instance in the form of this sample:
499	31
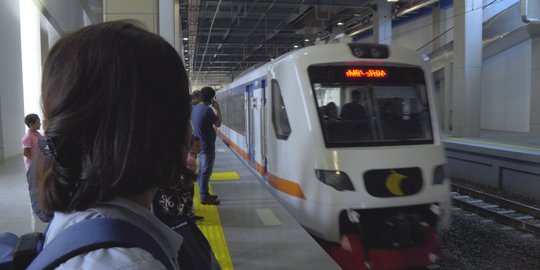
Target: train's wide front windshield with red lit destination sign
371	105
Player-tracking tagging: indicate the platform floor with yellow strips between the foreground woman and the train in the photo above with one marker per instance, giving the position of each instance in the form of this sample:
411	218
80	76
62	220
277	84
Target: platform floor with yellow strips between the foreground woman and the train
250	229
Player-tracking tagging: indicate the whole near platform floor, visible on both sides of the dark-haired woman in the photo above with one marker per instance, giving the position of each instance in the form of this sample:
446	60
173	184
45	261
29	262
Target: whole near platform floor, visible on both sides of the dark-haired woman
248	230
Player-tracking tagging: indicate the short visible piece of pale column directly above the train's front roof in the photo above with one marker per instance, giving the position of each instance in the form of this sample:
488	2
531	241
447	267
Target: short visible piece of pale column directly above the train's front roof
382	23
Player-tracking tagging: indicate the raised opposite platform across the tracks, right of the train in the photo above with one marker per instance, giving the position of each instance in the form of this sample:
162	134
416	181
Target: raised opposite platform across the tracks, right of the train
504	161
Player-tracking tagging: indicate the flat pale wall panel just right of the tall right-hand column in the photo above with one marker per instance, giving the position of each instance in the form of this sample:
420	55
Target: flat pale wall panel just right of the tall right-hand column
506	89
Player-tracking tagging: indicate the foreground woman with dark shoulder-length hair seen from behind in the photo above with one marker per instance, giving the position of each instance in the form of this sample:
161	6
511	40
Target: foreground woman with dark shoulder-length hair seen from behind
117	103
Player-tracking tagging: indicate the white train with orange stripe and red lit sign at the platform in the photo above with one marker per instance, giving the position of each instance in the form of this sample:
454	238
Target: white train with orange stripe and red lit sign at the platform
345	136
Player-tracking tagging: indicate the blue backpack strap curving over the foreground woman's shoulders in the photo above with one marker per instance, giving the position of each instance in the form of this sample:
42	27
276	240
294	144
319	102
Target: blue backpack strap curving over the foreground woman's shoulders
93	234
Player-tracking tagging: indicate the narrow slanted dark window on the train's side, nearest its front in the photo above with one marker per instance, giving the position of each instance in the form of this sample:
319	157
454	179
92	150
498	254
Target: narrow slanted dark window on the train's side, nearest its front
279	113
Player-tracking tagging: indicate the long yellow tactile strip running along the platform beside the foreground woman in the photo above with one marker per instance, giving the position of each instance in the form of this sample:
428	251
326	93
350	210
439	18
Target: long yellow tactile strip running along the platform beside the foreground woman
211	228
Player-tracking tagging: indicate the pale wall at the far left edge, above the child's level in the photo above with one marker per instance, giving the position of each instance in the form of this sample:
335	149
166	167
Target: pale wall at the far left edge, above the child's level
11	85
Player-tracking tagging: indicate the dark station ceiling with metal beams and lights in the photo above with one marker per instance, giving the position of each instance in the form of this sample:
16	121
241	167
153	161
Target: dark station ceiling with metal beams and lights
223	38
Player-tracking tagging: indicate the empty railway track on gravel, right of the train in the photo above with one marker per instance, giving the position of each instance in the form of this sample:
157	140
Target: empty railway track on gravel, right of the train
509	212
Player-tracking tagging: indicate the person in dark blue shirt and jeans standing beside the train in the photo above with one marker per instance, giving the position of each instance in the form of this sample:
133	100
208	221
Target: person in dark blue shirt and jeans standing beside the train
203	120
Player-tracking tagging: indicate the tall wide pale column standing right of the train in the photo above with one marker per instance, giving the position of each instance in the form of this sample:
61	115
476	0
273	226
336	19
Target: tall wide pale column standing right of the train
467	68
